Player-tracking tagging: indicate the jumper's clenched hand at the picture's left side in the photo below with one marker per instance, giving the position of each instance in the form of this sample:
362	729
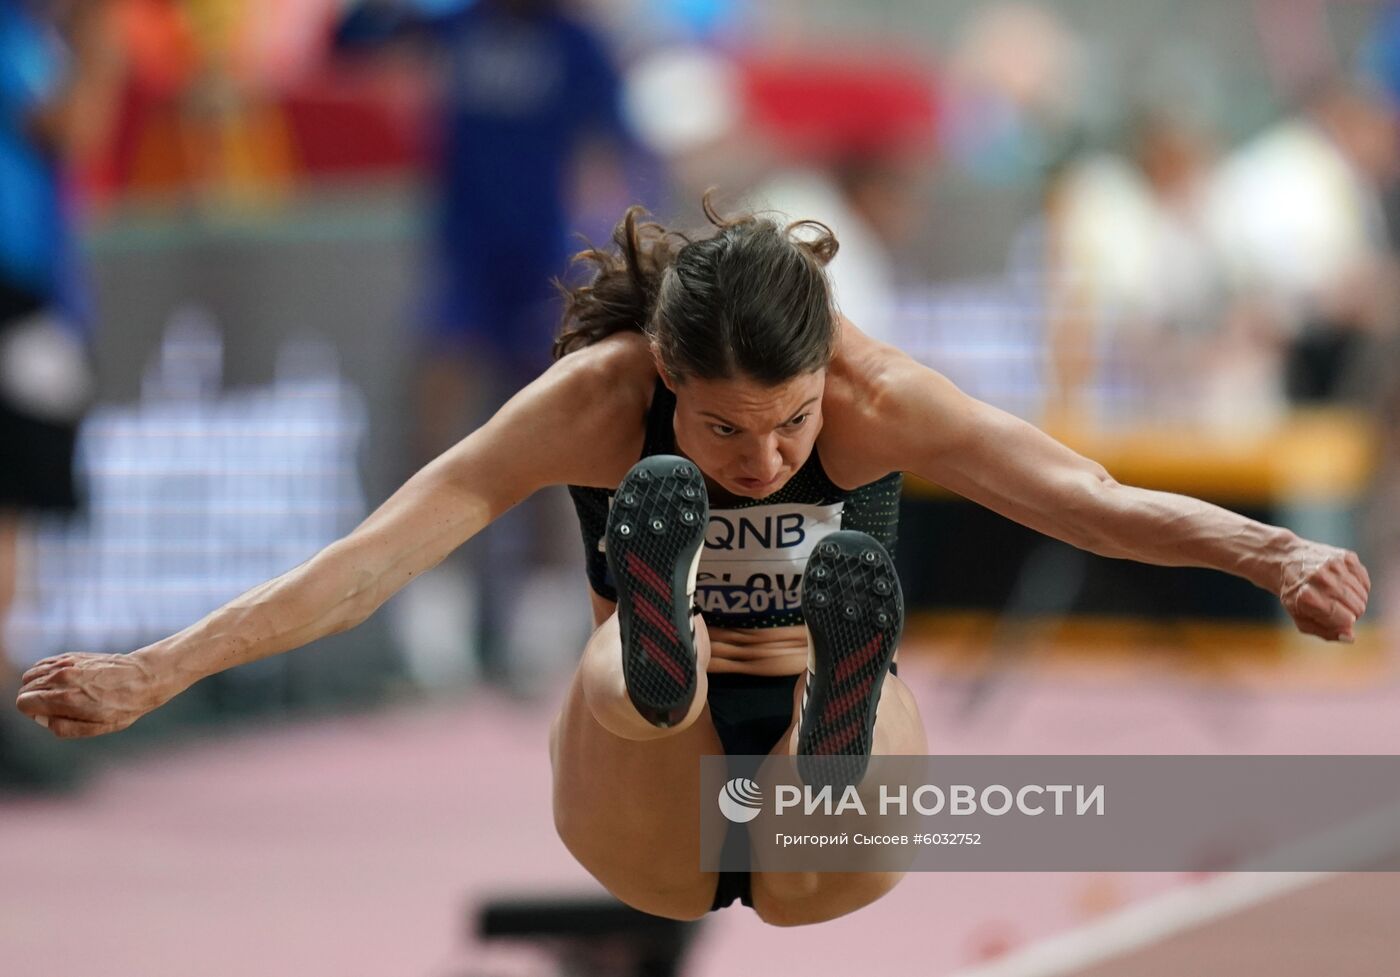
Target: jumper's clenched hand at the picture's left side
90	695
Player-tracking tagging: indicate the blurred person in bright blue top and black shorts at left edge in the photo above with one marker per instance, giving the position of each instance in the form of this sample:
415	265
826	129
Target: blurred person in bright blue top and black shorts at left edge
55	100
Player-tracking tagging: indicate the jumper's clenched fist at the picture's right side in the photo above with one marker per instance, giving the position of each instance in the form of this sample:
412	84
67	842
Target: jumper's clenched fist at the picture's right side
1325	590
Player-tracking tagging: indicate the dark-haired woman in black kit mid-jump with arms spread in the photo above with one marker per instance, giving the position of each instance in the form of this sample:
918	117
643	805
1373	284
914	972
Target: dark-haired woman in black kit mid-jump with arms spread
743	589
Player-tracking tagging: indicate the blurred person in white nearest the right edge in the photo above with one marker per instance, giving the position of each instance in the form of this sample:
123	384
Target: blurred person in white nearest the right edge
1300	212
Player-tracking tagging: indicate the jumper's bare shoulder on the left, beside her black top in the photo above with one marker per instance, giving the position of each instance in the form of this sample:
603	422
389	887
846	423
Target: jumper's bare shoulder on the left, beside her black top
605	391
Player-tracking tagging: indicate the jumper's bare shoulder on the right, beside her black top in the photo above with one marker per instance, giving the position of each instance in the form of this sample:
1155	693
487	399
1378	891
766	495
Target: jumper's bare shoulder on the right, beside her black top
855	422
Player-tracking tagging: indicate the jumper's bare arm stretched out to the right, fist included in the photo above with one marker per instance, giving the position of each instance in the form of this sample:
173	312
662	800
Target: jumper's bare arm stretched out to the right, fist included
937	432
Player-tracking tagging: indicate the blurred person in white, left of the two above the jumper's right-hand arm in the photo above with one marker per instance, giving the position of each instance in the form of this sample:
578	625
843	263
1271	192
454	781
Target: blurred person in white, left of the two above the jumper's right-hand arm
1143	327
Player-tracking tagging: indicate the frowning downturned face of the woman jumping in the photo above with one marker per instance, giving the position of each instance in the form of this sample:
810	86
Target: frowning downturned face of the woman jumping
747	437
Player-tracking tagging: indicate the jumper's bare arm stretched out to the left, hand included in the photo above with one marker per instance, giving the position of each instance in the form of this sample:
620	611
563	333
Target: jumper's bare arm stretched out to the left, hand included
535	440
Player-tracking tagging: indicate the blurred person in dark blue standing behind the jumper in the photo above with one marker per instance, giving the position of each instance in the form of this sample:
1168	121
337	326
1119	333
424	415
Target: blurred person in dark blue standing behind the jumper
528	110
